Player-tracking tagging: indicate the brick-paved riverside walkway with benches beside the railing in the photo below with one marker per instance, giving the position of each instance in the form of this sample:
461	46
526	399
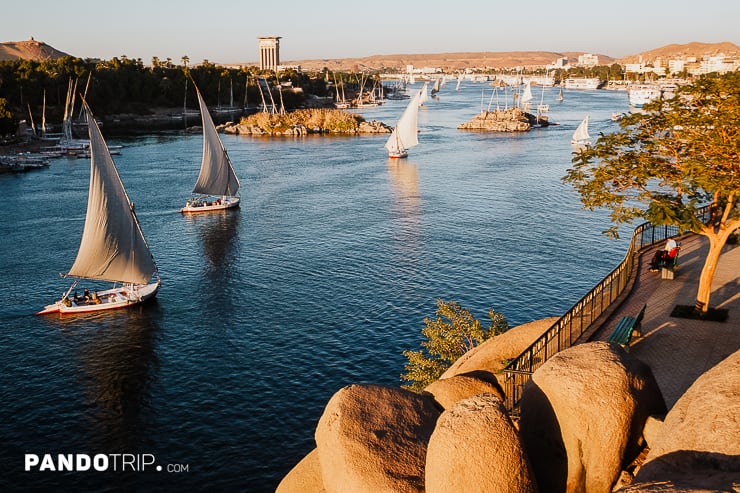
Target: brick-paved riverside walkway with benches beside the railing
678	349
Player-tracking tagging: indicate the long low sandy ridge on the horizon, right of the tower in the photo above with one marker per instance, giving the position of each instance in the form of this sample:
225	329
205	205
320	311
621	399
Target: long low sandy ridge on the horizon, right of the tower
447	61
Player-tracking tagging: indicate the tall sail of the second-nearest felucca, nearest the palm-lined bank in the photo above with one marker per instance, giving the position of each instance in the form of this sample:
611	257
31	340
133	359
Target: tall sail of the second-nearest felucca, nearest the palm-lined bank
217	175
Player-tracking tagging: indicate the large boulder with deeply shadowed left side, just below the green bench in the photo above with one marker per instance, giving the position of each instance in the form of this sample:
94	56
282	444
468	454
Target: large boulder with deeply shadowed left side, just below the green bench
582	416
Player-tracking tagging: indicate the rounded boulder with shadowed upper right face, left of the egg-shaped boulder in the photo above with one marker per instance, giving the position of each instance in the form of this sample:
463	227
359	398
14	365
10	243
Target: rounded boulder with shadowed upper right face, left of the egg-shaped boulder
372	438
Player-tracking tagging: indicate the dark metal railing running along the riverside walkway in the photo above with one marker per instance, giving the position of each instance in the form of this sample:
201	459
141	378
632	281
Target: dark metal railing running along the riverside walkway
566	330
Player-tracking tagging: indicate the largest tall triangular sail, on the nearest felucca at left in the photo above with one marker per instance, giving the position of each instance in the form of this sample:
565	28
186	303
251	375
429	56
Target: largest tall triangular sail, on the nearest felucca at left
112	247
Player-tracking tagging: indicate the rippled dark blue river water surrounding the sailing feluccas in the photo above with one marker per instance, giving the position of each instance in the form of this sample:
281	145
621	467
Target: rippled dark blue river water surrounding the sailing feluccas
321	279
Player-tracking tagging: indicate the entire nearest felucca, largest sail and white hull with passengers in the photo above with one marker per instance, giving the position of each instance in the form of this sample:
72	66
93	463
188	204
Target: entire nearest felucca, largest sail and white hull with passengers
113	247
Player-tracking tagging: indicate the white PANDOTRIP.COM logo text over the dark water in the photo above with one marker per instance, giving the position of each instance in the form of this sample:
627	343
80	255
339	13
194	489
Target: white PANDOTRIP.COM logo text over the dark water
98	463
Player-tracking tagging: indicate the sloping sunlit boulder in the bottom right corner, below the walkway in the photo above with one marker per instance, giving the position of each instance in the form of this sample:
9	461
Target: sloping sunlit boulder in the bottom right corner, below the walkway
698	444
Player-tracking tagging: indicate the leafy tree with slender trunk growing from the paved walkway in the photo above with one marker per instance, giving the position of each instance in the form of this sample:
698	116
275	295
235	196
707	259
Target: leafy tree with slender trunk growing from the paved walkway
667	162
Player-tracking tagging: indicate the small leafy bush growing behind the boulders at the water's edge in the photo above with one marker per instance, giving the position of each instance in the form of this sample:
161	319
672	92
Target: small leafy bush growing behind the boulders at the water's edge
453	333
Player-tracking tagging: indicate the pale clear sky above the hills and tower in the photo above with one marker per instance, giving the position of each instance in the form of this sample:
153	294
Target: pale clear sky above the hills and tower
226	31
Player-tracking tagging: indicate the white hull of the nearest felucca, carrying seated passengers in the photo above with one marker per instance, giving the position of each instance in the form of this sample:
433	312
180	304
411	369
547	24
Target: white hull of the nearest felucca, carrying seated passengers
109	299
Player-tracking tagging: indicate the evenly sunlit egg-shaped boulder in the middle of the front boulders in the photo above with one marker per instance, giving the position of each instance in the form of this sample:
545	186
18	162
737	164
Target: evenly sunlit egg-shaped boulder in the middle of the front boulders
475	448
